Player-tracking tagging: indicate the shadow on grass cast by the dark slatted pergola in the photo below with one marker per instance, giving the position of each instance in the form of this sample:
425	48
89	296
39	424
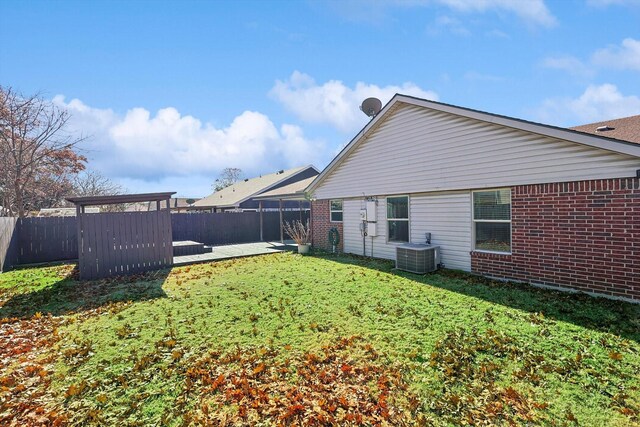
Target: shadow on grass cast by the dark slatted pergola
69	294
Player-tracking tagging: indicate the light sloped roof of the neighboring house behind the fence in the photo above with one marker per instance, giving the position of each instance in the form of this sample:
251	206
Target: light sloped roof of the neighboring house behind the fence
241	191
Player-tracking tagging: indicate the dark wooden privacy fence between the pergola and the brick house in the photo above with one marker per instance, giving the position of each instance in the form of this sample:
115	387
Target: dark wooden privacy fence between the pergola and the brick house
224	228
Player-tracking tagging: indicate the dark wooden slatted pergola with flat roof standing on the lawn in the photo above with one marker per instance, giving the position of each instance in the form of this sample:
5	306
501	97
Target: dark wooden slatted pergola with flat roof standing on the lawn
117	243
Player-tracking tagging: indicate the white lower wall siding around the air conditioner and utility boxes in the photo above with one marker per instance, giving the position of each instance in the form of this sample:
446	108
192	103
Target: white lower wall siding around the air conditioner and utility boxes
447	216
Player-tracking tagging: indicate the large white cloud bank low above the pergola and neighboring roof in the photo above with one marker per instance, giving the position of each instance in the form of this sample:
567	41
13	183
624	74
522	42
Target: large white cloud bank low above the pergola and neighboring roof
141	147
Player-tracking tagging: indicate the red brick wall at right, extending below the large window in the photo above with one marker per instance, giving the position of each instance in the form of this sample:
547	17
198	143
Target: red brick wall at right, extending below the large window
583	235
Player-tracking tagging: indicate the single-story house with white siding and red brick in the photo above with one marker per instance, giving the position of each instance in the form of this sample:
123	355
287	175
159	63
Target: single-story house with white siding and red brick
503	197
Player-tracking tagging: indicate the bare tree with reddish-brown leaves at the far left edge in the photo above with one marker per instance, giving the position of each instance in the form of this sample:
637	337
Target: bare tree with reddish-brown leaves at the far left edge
37	157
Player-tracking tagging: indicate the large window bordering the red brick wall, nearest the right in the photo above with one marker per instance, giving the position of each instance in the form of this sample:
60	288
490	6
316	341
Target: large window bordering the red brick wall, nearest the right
492	220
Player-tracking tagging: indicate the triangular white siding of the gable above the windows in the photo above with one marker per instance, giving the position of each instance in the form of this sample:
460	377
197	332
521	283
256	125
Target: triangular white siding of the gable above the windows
418	150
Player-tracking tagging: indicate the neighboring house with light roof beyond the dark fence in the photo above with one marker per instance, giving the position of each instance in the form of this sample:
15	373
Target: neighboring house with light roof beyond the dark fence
241	196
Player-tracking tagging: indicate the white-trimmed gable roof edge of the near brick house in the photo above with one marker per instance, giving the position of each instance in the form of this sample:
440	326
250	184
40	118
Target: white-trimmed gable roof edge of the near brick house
596	141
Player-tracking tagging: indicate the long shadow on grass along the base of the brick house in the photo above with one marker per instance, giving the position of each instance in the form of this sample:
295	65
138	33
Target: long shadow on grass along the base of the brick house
595	313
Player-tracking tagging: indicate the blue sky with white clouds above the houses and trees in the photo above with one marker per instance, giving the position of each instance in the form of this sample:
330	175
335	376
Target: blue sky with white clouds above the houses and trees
169	93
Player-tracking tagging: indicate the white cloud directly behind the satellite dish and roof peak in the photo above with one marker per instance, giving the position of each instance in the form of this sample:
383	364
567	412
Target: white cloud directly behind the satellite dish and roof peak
335	103
